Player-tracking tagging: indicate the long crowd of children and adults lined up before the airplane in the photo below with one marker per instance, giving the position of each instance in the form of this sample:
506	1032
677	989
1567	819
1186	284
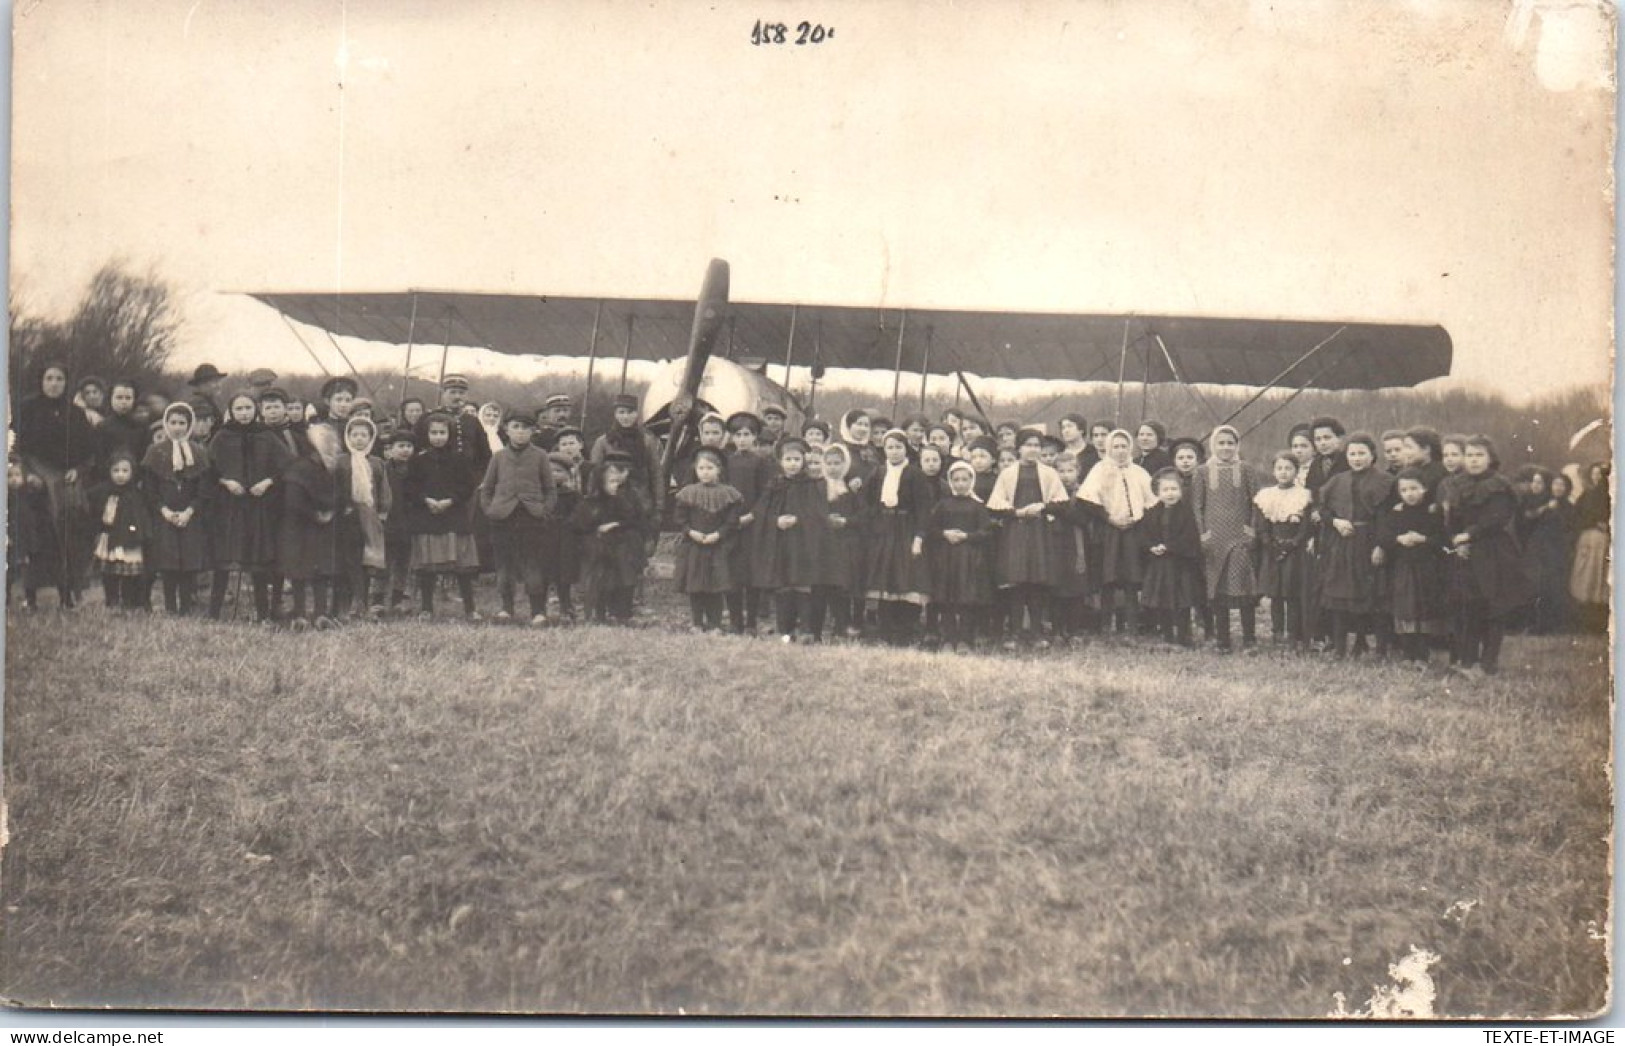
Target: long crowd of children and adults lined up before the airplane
945	532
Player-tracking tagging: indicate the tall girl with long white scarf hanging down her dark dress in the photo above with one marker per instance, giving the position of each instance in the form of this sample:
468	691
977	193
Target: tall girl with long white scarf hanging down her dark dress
896	503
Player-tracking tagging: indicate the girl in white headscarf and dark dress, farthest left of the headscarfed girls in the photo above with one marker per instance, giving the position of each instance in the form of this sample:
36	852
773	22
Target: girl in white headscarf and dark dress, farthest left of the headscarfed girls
178	477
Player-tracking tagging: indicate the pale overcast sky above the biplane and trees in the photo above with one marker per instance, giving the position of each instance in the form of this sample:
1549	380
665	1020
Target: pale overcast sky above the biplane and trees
1426	162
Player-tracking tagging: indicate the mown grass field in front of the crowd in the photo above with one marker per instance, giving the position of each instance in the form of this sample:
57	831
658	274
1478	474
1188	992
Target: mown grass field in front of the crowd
451	816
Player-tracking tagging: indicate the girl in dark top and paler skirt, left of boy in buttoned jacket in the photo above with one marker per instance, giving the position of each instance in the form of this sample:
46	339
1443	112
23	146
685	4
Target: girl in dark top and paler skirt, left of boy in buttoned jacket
440	490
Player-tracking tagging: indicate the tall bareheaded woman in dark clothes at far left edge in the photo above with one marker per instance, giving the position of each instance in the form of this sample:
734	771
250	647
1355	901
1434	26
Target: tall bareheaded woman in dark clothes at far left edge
58	447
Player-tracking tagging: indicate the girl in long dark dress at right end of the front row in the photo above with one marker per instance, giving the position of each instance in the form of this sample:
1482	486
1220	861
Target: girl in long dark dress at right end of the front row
1486	574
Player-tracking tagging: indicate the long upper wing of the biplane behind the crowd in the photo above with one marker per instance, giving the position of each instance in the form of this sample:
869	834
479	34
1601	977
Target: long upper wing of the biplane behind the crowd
1005	345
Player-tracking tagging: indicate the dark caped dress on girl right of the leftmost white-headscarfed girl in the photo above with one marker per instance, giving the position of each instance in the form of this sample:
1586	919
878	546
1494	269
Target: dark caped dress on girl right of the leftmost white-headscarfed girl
243	527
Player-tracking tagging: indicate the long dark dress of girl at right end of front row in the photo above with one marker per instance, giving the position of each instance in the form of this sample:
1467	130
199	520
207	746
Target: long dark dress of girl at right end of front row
1491	576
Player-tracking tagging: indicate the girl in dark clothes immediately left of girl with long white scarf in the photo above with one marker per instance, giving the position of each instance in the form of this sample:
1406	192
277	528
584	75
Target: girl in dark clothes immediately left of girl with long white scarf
308	548
